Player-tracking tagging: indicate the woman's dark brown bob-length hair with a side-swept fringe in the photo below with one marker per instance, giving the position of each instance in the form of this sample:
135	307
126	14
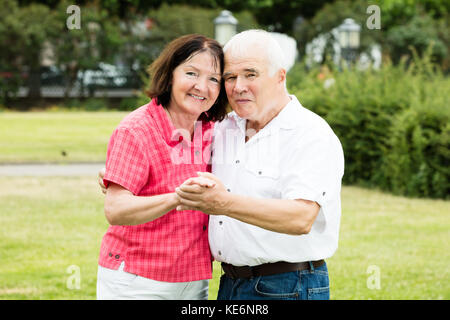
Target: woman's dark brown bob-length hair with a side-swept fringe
174	54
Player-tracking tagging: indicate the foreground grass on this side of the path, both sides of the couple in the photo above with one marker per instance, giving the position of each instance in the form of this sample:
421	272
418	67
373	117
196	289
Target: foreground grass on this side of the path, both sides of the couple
50	224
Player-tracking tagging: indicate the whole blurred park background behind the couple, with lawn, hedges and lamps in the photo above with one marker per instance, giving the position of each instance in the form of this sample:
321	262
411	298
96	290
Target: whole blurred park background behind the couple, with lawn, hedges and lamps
377	71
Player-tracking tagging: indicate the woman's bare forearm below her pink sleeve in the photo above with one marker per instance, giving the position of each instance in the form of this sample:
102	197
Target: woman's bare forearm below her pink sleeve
127	209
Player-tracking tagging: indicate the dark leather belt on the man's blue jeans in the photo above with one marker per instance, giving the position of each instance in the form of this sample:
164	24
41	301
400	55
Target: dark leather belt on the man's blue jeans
267	268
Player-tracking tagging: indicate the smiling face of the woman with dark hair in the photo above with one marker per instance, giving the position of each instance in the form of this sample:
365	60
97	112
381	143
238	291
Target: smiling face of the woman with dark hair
195	84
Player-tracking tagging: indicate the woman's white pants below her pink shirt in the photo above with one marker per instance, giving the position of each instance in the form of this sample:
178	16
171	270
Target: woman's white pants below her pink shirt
121	285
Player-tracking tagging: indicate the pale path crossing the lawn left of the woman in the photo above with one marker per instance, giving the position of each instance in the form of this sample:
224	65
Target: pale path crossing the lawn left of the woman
72	169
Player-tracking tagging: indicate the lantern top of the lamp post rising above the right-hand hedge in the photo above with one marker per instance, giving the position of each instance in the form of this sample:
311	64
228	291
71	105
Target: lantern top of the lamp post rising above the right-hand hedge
349	33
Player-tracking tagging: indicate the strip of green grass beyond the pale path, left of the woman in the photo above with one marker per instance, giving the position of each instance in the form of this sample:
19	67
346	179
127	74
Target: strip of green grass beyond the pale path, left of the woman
46	136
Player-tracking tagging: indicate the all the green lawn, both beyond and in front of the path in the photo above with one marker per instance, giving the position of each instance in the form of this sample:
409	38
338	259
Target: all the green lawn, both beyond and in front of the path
390	247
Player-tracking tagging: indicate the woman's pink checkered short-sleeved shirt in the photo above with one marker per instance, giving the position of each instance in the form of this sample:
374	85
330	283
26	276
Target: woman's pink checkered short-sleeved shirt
143	157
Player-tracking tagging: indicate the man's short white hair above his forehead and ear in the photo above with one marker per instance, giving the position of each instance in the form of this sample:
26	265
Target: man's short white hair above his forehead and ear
264	42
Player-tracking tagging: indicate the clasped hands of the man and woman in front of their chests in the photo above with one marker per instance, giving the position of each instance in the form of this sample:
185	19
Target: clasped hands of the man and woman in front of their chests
203	193
